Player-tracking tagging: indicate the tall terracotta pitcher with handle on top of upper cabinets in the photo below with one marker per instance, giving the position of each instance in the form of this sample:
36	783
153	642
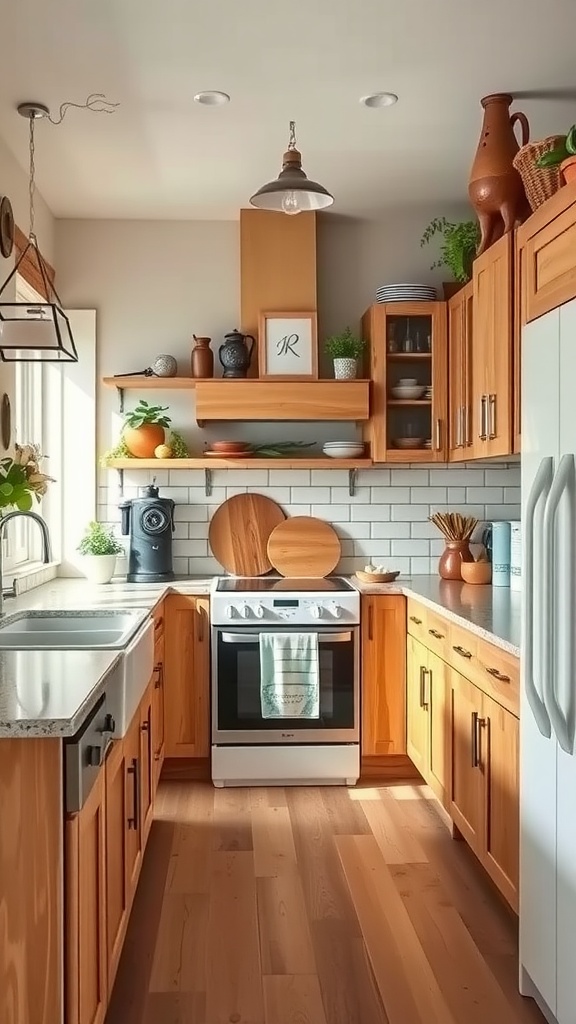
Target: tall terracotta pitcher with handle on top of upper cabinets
496	188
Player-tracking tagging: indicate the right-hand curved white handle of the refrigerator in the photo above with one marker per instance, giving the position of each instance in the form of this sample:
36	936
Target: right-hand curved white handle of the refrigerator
564	479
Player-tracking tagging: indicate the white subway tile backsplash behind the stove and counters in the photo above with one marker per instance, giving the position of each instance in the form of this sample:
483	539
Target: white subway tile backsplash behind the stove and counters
386	522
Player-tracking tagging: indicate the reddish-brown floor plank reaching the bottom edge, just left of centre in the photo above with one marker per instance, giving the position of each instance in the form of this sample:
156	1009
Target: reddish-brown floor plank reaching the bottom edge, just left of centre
234	987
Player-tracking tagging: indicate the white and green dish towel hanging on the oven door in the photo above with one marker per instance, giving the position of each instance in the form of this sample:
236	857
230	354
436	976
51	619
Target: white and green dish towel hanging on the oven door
290	675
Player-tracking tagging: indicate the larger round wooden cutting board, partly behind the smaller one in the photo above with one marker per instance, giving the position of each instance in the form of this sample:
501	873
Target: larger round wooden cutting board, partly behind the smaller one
239	534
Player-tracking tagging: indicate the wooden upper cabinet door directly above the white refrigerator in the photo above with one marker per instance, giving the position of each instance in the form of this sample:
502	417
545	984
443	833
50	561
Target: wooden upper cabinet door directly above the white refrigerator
548	262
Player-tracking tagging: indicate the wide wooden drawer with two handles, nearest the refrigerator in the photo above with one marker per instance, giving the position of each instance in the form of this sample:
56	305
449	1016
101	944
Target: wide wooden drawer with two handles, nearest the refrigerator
488	667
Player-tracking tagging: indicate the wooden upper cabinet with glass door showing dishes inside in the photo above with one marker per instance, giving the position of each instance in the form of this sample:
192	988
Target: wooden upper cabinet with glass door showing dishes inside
408	340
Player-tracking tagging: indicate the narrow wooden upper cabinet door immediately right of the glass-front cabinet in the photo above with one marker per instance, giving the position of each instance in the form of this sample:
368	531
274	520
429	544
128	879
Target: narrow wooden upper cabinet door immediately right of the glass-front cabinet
461	314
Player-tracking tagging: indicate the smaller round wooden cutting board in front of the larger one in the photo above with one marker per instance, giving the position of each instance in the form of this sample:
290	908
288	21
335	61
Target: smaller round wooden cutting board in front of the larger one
305	547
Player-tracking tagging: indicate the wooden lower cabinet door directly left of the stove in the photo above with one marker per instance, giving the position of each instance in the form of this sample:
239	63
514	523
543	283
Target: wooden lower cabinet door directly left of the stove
187	677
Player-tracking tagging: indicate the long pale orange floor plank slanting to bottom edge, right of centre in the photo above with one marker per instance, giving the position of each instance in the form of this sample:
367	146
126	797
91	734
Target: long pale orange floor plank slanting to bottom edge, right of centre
407	986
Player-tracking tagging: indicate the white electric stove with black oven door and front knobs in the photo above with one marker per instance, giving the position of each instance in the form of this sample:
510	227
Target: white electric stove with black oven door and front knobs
252	750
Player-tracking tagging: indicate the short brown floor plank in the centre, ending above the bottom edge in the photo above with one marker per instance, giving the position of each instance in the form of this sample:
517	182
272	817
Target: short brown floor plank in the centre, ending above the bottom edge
285	941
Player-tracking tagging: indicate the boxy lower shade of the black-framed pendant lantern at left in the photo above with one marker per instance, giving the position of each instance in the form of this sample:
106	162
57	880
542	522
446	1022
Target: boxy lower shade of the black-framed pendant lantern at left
35	333
